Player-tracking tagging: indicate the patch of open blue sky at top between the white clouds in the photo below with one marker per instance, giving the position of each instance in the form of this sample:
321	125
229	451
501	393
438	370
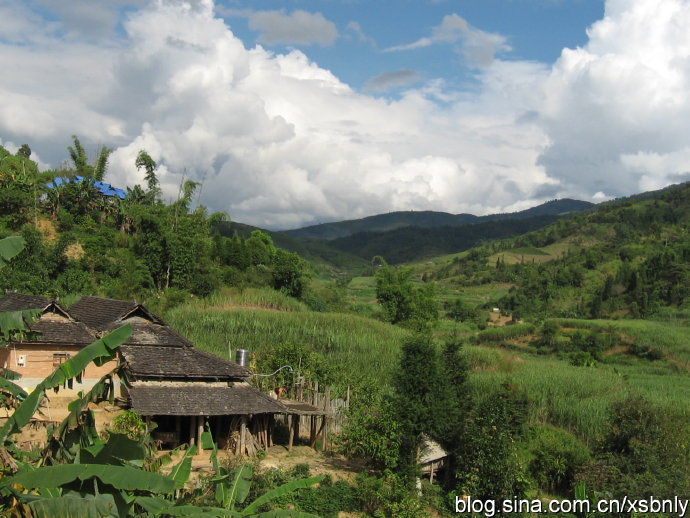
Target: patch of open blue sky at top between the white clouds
533	29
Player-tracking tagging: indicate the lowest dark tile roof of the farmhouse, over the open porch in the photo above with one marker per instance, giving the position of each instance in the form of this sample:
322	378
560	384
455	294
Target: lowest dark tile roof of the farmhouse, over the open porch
201	399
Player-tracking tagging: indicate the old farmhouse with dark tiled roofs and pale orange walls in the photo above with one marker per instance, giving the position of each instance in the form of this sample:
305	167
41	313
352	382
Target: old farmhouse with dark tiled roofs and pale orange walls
182	389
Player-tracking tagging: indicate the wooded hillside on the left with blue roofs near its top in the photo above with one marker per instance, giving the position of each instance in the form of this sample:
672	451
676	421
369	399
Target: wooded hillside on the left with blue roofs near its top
84	238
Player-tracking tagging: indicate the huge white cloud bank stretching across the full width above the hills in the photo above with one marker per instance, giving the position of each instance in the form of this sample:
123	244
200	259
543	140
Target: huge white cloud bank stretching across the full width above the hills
281	142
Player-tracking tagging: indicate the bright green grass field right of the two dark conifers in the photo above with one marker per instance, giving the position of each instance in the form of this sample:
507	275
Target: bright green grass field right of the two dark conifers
577	398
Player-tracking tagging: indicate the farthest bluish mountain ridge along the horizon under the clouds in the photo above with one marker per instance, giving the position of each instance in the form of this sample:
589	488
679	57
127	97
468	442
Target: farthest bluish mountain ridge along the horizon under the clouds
426	219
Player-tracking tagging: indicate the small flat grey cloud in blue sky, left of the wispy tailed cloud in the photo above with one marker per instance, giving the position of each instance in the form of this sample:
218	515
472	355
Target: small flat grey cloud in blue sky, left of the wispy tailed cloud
298	28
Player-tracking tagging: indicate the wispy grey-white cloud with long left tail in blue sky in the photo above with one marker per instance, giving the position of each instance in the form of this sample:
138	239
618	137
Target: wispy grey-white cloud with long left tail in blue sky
477	47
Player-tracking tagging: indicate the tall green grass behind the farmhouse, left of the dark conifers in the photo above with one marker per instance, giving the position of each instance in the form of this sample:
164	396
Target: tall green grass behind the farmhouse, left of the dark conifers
355	346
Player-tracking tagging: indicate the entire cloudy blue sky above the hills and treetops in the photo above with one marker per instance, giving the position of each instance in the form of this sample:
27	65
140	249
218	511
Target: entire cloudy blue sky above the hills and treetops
299	112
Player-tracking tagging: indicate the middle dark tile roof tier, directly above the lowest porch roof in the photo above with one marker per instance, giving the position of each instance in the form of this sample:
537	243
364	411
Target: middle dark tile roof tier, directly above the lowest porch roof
178	363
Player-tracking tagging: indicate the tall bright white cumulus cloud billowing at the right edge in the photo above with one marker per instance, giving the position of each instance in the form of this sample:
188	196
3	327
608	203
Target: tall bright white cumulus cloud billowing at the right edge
617	110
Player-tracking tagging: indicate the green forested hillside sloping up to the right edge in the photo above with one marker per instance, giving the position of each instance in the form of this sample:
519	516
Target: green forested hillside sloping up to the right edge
627	258
